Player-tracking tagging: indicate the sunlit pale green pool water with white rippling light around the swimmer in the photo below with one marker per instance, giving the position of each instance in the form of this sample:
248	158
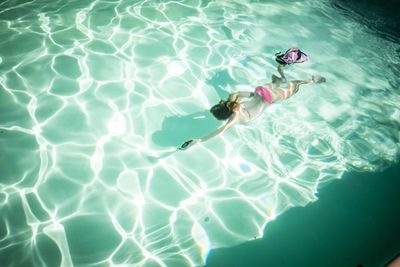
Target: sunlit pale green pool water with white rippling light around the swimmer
96	96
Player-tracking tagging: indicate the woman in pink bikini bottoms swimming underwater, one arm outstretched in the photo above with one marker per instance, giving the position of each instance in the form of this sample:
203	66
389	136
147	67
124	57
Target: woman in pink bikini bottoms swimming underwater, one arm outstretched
242	107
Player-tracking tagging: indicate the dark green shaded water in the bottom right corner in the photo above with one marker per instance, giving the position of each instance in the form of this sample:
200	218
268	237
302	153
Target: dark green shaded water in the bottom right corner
355	222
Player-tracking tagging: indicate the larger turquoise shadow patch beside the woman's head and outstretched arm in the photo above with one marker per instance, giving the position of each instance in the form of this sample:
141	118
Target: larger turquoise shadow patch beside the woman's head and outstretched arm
177	129
